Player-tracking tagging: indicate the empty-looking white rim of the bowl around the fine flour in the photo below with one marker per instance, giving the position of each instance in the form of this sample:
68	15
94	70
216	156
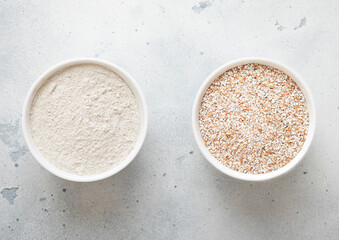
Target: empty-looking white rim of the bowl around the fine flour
27	128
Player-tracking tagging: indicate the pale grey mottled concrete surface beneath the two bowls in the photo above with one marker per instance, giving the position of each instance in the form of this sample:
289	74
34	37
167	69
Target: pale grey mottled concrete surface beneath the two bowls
169	191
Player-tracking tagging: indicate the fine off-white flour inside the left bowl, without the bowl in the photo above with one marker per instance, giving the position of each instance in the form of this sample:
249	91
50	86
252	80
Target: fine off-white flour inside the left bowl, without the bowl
85	119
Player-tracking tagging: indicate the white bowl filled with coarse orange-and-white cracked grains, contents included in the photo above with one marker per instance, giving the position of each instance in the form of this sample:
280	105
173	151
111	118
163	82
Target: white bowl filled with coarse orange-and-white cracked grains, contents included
253	119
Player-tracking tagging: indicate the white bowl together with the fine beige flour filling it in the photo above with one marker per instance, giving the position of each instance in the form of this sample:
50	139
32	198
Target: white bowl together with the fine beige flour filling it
85	119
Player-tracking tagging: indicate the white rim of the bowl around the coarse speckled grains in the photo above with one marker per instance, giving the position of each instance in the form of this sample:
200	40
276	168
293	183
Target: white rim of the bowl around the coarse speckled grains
222	167
